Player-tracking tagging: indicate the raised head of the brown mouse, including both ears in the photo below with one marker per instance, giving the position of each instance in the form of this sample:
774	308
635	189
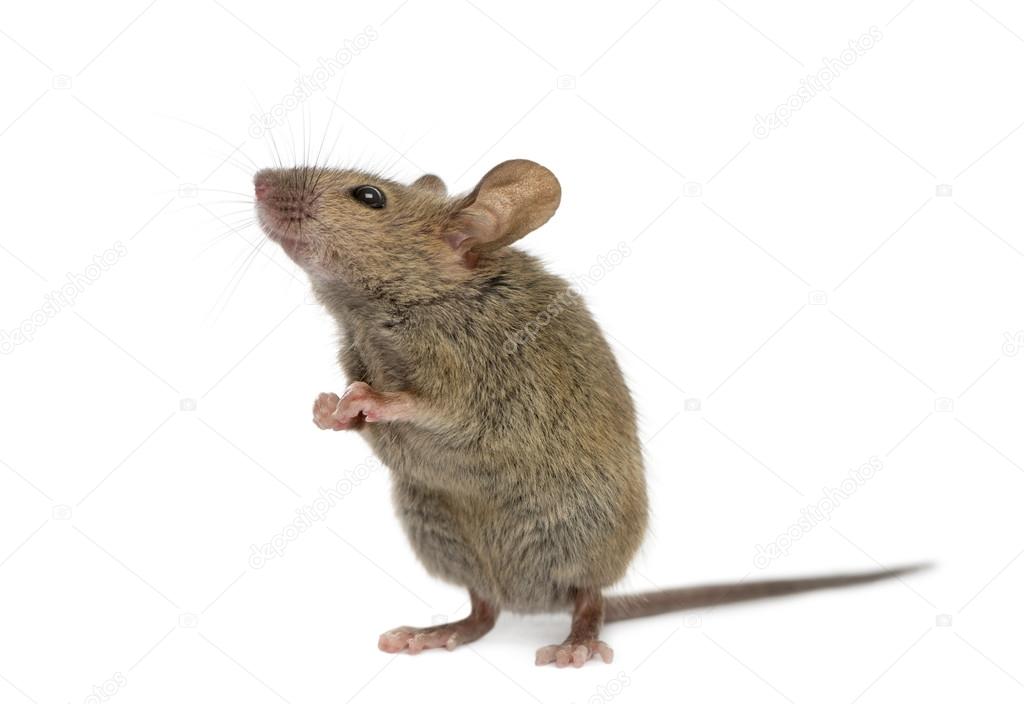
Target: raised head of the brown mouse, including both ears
377	238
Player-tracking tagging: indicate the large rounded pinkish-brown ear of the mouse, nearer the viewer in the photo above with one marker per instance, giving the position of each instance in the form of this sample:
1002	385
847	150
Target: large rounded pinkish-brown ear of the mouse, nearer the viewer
513	200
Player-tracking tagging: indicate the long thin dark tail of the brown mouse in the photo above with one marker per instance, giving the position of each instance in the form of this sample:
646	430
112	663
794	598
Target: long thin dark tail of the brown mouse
620	608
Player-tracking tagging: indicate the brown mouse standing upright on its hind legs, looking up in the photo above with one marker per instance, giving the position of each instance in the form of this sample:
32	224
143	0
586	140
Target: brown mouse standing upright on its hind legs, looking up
516	463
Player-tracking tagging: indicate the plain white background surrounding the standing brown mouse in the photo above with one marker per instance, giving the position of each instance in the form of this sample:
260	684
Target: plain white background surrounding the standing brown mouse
812	291
